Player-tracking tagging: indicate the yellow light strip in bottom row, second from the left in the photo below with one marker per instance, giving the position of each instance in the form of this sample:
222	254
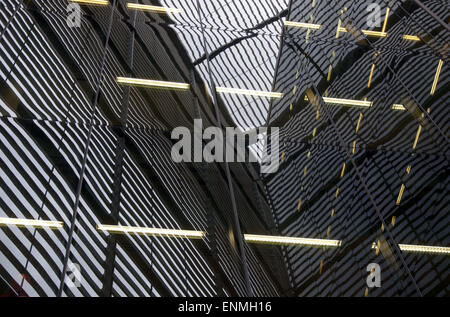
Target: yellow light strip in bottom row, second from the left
171	233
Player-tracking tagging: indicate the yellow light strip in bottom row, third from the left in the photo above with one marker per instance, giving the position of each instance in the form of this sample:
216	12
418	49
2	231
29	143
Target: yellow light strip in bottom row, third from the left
251	238
